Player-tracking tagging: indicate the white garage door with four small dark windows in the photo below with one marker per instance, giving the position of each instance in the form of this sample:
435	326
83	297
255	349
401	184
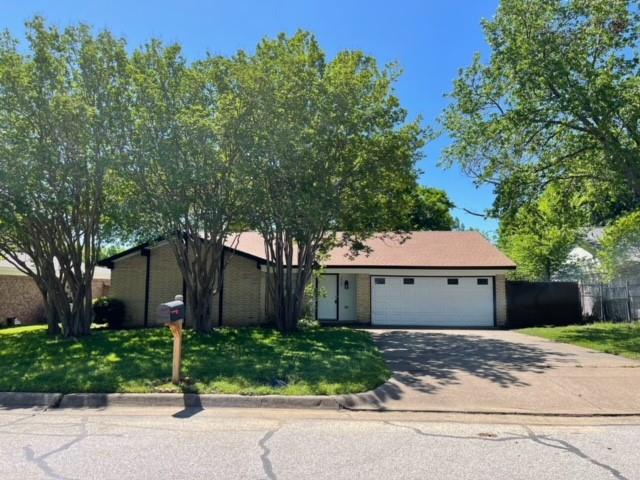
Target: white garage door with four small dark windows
432	301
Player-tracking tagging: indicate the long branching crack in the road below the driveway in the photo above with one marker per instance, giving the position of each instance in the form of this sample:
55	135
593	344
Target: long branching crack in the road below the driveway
531	435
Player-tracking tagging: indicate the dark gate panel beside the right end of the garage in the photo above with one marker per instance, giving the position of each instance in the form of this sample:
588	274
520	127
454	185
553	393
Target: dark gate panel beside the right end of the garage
532	304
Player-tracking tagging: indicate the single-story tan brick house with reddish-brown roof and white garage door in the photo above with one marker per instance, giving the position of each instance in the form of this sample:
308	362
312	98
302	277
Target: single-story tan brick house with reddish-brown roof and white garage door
445	279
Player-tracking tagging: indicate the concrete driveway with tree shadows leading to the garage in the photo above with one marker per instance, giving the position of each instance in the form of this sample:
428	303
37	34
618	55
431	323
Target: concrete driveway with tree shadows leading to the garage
499	371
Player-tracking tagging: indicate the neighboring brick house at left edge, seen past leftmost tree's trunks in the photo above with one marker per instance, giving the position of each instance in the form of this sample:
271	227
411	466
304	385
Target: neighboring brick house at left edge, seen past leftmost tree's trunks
21	301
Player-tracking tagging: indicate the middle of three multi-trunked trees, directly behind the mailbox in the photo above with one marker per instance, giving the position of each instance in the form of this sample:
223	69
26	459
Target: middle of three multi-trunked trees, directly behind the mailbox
181	178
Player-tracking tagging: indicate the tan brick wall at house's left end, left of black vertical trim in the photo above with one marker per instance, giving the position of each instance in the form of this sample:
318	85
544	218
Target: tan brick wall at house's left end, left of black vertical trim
128	284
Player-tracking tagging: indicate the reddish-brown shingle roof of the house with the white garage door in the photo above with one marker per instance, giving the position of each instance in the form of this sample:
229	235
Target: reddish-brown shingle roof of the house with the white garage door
410	250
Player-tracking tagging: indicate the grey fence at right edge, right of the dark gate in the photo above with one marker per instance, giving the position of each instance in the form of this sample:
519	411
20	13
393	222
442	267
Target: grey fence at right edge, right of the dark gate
618	301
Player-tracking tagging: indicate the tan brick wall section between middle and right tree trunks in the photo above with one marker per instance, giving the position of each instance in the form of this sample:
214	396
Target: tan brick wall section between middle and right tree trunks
242	295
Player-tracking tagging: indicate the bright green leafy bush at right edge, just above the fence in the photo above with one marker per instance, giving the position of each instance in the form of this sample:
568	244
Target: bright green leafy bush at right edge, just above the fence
621	245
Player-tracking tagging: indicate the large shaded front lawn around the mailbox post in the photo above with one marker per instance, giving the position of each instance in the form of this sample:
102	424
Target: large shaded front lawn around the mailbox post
320	361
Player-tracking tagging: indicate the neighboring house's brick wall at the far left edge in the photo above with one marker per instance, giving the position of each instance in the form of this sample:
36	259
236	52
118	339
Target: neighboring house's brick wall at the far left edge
20	299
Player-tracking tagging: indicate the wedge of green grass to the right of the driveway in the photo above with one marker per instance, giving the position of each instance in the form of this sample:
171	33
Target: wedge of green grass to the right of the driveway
616	338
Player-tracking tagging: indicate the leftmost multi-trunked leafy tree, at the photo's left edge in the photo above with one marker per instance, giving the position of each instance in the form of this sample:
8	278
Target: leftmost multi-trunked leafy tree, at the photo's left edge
62	120
